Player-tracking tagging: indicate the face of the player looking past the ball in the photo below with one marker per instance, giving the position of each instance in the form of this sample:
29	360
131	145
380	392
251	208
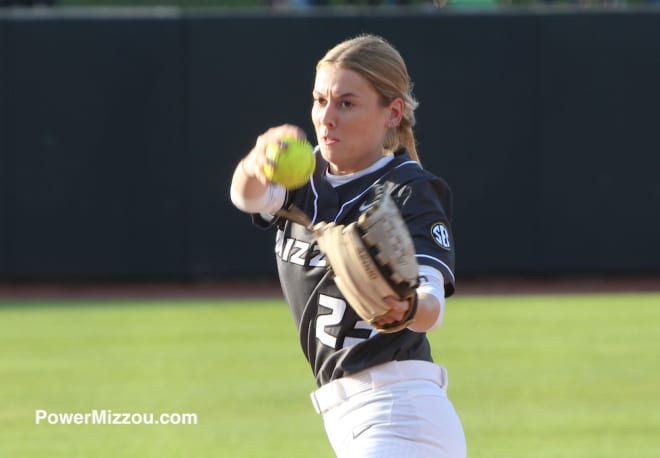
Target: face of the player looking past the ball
349	119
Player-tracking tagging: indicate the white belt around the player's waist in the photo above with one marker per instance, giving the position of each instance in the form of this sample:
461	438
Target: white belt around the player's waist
334	393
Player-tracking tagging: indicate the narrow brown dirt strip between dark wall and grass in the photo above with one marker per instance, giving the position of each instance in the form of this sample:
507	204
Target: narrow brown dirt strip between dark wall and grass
269	288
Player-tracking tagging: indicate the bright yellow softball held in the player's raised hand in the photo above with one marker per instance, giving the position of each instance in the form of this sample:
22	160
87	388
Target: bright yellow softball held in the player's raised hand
290	163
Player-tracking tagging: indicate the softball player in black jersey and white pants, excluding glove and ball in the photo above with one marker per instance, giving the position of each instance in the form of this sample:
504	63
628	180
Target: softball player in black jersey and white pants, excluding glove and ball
380	395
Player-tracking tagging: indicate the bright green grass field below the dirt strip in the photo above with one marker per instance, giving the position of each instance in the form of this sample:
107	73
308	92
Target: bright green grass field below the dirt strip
573	376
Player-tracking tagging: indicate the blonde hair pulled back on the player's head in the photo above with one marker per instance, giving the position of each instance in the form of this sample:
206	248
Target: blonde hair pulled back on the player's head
382	66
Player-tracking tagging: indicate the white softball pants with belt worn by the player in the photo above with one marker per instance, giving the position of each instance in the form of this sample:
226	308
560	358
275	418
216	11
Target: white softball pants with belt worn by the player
399	409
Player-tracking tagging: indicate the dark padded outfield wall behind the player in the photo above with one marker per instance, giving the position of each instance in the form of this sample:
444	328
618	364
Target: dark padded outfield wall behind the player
118	136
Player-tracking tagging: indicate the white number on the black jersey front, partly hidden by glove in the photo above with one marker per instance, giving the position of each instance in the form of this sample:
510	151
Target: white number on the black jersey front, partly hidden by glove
362	330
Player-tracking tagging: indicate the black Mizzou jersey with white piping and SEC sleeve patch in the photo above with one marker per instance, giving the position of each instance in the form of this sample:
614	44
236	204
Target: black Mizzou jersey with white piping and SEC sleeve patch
335	340
